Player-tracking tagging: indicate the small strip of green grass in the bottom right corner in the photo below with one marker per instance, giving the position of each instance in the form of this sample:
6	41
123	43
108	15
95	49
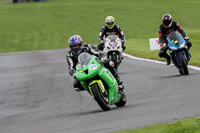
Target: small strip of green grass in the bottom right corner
190	125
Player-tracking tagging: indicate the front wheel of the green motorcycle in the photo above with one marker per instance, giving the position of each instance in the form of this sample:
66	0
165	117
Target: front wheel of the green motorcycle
102	99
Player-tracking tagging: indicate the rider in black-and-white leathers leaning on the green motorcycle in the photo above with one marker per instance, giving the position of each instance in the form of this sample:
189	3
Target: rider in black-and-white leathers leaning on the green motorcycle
76	47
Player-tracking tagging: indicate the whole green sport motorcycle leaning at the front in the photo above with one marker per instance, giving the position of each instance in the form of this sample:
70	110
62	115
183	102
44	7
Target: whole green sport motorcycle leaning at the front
99	82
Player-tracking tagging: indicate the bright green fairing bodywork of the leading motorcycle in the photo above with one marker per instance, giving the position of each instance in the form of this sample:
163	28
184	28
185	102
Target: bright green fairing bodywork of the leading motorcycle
84	74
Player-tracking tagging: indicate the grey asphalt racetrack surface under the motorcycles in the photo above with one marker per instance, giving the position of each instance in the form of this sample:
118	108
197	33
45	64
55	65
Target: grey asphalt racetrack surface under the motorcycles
36	95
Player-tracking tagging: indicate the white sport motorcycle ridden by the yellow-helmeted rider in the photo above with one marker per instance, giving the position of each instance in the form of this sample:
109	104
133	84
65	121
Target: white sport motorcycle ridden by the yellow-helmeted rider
113	49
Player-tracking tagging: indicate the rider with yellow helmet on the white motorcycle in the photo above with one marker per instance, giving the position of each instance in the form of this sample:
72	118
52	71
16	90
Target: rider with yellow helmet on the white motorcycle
110	28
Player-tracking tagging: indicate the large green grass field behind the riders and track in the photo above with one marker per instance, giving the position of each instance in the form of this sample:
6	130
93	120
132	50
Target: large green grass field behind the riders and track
48	25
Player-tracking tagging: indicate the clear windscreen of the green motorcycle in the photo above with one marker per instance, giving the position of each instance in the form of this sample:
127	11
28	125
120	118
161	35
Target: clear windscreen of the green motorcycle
83	59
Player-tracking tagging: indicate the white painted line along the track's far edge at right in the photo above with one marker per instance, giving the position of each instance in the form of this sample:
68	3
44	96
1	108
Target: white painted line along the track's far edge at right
155	61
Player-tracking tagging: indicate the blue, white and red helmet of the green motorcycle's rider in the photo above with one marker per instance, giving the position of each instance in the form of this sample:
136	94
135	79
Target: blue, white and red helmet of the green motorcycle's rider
75	43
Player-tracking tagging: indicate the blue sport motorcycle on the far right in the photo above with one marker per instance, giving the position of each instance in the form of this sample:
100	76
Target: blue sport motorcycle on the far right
178	52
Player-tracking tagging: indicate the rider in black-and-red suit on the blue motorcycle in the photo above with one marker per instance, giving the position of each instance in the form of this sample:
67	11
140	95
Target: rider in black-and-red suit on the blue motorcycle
167	26
